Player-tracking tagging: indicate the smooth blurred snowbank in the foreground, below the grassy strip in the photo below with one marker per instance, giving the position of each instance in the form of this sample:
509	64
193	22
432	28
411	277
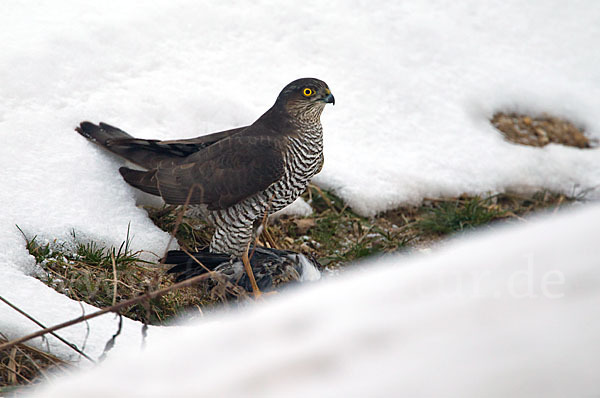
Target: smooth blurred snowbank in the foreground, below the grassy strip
507	313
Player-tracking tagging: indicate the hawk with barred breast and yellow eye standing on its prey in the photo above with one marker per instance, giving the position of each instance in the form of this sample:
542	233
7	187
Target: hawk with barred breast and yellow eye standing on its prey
235	176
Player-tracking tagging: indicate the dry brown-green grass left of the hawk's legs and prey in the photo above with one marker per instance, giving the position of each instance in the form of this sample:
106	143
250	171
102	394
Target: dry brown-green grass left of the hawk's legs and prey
102	276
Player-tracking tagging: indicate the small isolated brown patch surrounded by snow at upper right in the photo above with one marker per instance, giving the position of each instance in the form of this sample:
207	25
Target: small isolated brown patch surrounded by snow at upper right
540	131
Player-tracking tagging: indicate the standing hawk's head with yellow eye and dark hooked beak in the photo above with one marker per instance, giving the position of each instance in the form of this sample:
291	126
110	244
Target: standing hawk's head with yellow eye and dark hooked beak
305	98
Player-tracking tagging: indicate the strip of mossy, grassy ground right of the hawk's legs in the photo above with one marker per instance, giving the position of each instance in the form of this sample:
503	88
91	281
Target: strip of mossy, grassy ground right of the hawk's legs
337	236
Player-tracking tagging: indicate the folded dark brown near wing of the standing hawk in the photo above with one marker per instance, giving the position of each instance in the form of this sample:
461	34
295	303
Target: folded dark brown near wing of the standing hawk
219	176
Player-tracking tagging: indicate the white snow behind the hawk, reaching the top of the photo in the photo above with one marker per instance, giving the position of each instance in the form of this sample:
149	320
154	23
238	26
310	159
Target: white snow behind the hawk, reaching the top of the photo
415	84
